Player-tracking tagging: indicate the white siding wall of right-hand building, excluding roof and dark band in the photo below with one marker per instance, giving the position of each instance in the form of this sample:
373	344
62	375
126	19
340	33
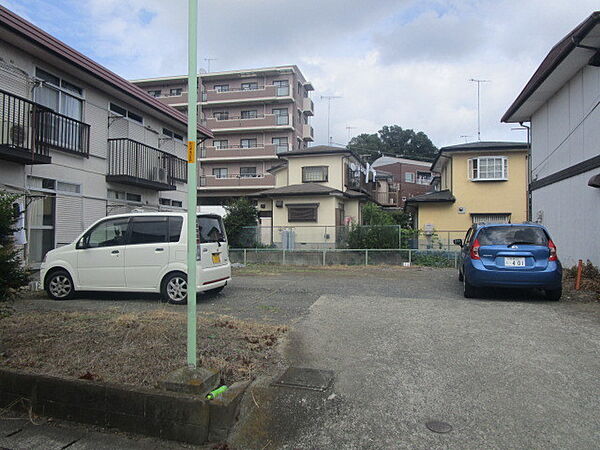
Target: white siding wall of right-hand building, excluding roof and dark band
566	131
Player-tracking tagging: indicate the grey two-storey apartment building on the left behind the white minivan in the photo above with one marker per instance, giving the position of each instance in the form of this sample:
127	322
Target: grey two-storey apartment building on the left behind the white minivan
78	141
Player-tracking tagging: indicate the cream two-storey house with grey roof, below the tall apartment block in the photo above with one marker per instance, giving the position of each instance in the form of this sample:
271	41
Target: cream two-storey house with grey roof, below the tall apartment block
318	191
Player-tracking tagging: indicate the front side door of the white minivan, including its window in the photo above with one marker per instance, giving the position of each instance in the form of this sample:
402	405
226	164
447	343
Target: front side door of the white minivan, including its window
101	255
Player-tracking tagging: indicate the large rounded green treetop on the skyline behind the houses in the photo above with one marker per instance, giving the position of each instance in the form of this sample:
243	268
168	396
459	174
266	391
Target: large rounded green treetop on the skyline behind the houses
395	141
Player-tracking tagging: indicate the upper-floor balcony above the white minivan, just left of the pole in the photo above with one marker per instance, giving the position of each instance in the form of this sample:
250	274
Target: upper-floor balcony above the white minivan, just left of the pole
133	163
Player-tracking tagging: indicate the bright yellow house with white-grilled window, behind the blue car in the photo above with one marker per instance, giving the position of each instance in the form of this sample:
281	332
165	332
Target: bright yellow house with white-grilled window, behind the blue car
478	182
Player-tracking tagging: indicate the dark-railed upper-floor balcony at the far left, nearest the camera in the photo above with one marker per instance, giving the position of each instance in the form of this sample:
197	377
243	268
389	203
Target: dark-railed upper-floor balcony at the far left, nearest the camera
28	131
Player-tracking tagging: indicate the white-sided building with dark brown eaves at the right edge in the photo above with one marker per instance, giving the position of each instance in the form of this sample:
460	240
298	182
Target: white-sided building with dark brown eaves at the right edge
561	101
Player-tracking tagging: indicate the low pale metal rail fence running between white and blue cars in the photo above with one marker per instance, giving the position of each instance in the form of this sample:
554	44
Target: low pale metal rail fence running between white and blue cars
352	257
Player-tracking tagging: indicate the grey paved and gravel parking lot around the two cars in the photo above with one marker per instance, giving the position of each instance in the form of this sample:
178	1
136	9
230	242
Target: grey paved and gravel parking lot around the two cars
510	370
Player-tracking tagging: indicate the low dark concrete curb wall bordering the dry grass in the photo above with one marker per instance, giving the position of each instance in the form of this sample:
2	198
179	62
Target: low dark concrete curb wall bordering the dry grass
167	415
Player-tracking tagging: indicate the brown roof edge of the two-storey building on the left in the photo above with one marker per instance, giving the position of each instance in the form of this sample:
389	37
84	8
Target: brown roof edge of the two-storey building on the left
49	43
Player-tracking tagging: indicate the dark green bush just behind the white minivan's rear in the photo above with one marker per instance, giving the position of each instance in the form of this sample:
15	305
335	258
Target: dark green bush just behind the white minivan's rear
241	216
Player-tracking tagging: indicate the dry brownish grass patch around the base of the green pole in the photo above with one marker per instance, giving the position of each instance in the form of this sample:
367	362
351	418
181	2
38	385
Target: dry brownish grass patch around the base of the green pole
134	348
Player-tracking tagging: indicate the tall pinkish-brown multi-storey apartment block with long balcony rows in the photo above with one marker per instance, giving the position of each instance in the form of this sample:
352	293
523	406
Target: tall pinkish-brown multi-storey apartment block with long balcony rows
254	115
